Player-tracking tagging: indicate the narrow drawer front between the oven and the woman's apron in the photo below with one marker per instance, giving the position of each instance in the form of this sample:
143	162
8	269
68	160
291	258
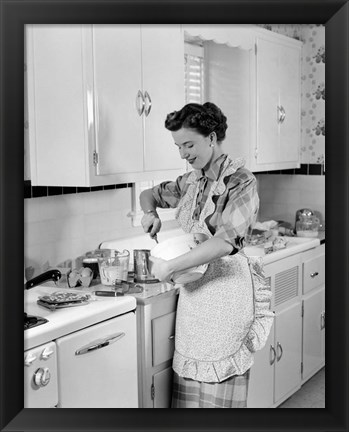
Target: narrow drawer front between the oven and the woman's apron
163	330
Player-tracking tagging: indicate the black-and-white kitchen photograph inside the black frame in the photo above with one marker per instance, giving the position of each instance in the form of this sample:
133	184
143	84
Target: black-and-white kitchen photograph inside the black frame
174	220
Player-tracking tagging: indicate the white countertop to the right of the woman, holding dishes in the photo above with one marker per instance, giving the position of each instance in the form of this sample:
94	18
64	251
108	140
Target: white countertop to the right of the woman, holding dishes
294	245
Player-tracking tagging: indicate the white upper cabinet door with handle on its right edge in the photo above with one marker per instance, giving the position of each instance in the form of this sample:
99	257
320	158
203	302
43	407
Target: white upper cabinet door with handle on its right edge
117	83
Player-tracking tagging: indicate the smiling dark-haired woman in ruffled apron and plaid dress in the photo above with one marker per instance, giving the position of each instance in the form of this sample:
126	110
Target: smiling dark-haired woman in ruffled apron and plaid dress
224	317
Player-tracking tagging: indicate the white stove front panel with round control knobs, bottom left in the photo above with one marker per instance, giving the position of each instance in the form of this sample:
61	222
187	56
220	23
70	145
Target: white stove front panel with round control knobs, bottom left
40	377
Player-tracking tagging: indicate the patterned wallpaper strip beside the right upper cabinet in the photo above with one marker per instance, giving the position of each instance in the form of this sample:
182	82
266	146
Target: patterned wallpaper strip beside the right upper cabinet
313	87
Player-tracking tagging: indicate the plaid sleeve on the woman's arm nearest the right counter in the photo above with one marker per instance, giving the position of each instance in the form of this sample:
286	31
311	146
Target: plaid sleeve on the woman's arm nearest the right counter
240	210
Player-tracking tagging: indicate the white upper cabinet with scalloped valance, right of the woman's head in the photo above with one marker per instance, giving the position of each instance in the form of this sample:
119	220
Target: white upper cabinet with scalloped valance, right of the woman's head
254	76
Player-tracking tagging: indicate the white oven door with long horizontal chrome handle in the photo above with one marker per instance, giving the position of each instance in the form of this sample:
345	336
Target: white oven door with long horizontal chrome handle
97	366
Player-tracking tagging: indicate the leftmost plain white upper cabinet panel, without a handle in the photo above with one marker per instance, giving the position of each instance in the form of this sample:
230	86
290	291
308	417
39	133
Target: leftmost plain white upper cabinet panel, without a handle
56	97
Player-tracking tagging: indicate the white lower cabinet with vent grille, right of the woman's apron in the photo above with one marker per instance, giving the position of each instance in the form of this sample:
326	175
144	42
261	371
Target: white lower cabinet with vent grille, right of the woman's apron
295	349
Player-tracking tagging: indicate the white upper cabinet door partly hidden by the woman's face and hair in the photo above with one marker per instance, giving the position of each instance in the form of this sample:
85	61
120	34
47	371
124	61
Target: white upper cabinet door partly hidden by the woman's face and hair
164	91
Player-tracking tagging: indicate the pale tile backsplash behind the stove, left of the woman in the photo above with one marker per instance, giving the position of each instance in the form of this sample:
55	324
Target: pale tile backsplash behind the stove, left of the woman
58	229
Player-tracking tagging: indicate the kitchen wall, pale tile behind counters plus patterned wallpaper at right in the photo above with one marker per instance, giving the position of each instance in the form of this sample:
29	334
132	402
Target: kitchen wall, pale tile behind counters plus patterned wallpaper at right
59	226
